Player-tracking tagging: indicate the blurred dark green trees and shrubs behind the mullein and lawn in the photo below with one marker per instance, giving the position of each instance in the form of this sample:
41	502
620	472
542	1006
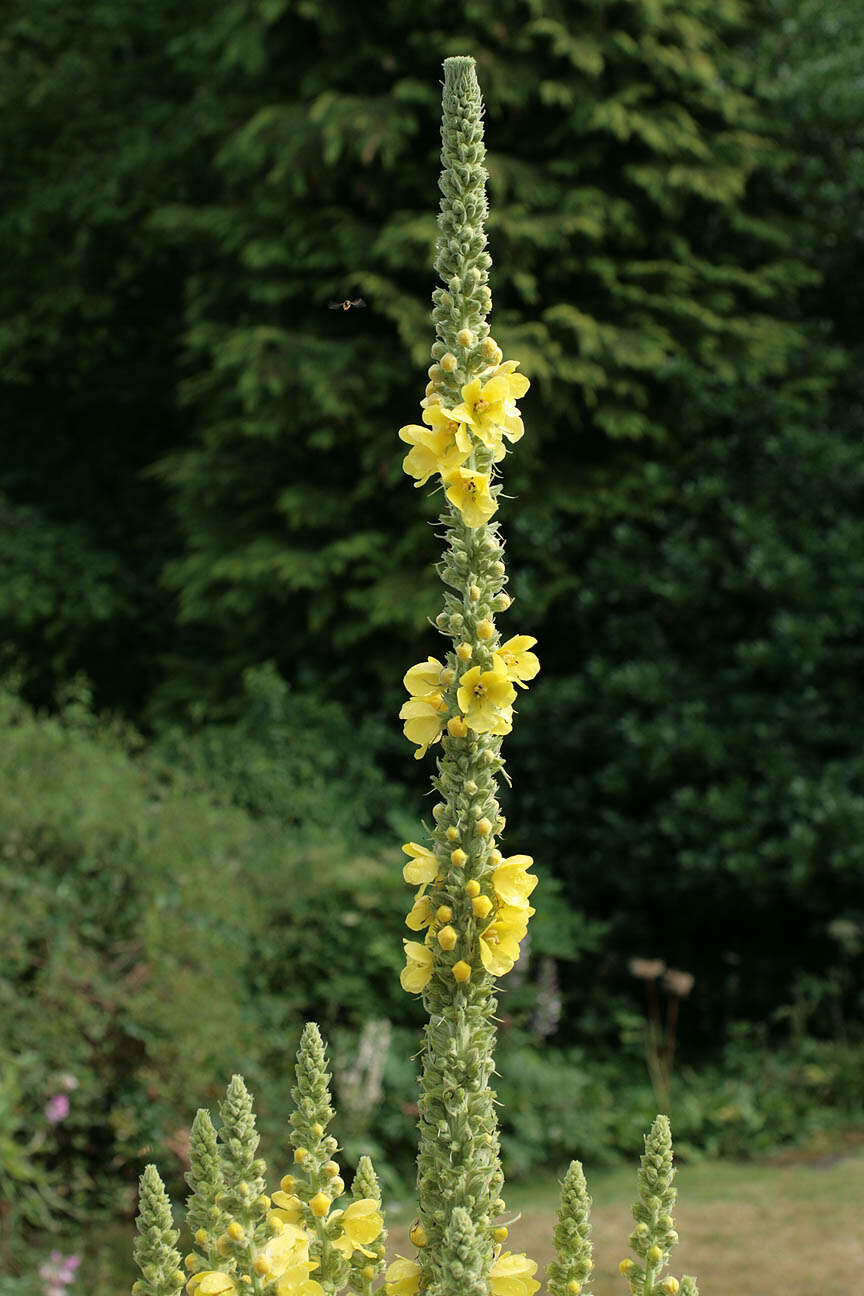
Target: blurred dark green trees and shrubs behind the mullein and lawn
213	572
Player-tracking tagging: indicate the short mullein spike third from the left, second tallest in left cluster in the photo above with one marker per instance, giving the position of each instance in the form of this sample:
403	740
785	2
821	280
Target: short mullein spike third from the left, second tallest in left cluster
244	1199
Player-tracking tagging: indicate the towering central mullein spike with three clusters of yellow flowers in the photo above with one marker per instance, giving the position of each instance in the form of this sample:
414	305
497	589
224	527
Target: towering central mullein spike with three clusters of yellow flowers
472	905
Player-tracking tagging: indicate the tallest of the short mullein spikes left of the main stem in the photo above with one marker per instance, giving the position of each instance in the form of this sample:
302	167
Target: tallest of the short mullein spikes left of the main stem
317	1177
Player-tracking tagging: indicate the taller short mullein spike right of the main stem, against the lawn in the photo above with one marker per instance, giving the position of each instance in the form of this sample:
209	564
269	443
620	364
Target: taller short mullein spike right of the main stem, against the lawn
655	1234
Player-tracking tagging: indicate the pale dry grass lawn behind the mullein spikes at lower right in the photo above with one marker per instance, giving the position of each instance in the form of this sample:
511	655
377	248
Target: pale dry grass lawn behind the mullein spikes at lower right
780	1229
